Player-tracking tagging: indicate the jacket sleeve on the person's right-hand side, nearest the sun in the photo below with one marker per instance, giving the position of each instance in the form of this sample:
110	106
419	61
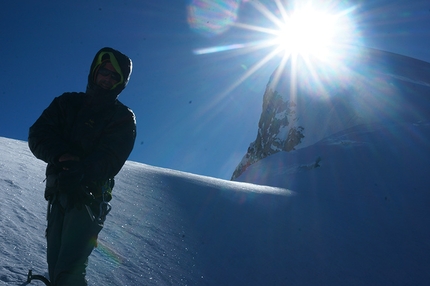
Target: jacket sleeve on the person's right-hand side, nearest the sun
114	147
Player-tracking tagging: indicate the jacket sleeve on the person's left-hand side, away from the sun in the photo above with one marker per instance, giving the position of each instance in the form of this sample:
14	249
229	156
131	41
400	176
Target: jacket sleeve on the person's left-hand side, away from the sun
44	138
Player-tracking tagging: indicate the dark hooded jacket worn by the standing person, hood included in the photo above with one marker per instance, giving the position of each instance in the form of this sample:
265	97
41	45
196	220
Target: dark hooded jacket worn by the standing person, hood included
93	125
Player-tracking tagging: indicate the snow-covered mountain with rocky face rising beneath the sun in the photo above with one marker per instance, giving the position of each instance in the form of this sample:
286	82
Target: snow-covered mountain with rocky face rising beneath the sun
306	101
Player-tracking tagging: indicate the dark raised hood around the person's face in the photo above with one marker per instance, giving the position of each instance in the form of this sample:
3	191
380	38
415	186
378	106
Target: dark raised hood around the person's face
122	65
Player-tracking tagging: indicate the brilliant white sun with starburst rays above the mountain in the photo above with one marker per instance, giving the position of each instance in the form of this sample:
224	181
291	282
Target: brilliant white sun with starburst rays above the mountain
301	30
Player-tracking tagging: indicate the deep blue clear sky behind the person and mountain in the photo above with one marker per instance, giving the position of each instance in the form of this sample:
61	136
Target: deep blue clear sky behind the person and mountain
188	117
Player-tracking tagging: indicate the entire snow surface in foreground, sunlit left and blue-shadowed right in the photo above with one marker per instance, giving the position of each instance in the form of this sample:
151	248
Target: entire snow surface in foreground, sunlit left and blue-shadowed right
353	210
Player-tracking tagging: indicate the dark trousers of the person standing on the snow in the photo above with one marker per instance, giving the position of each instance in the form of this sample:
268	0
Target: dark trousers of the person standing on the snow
71	237
